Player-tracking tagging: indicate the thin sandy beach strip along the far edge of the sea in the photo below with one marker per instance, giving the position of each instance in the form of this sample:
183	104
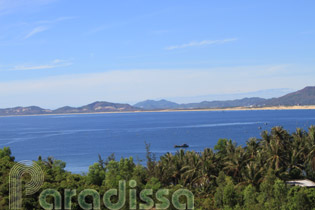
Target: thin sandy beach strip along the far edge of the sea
308	107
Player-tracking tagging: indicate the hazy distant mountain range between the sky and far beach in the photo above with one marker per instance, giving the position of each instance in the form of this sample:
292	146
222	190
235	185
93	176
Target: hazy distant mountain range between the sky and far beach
302	97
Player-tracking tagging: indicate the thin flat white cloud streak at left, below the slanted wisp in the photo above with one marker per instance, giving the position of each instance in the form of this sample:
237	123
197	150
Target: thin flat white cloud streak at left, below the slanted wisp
54	64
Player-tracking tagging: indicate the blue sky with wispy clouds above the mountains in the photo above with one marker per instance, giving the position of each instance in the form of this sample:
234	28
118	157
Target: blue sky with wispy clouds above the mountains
55	52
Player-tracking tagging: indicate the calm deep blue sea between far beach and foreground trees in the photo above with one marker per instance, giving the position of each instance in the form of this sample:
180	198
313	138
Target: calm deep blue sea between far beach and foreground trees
78	139
